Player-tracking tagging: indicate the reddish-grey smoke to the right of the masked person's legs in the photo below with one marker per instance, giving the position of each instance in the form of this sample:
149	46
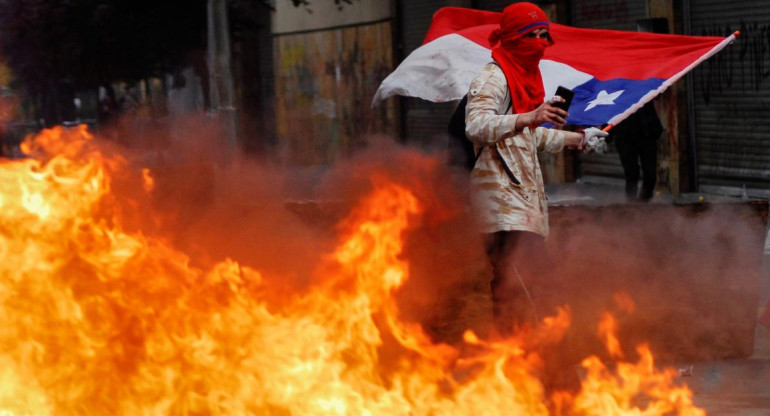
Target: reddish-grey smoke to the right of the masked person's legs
692	271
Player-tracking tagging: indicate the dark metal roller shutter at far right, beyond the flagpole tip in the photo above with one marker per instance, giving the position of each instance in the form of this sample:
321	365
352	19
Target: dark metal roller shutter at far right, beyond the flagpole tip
732	95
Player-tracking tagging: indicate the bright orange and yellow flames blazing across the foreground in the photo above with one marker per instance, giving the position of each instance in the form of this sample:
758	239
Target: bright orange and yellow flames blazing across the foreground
102	318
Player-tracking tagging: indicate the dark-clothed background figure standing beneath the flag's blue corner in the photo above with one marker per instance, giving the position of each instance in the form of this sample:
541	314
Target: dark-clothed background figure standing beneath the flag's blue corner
636	139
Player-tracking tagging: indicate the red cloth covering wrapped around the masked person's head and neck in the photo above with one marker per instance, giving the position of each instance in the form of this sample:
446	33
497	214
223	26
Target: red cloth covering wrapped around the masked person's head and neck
519	56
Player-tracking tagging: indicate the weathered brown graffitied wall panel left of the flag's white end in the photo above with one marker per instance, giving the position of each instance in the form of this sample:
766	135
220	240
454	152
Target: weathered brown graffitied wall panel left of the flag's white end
325	81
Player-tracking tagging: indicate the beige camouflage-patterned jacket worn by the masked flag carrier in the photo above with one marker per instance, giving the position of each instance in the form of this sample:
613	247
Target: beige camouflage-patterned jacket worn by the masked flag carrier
502	204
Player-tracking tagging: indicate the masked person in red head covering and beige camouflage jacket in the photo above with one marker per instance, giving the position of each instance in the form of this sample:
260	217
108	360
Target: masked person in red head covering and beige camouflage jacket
503	116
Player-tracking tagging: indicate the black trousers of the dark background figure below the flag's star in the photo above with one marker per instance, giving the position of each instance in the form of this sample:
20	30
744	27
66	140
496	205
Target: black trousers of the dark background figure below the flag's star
636	152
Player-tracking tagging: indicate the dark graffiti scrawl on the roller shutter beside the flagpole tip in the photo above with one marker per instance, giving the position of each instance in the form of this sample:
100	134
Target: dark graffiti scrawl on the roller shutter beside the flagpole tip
744	66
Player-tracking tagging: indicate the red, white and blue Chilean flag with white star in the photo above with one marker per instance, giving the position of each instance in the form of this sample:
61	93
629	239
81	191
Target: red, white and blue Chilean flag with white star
613	73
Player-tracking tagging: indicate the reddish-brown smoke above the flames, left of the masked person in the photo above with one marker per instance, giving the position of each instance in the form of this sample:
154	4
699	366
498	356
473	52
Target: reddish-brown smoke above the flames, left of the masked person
282	220
